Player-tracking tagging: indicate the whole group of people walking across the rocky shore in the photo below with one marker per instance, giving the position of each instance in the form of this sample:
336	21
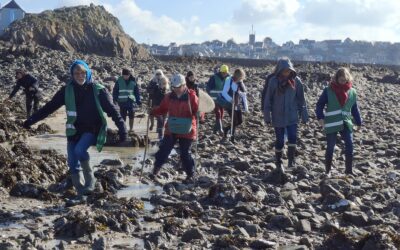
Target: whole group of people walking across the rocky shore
177	112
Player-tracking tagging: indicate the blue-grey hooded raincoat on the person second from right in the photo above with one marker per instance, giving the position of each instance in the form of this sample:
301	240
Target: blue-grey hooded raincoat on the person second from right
284	108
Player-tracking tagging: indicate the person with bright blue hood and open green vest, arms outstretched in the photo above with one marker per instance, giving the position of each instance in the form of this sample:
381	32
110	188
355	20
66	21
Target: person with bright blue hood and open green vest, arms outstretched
86	103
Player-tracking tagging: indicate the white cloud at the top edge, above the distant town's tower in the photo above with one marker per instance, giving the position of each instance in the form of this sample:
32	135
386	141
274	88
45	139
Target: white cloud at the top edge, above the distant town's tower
265	11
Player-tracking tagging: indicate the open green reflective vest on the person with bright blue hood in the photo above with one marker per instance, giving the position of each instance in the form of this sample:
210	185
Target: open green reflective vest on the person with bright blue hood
70	108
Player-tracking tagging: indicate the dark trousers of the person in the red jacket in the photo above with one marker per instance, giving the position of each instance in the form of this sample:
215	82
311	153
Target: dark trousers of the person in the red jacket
167	144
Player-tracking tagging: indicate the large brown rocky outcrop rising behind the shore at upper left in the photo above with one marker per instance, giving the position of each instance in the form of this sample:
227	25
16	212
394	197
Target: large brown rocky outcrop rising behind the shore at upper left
85	29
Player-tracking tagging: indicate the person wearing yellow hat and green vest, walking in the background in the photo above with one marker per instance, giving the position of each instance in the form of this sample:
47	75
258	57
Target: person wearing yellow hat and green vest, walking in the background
214	87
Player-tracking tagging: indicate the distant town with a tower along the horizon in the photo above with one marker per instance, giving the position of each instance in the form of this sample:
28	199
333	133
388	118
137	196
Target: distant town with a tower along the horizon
347	51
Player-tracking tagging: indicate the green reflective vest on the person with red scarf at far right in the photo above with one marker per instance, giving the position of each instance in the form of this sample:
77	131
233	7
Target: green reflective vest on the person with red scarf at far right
337	116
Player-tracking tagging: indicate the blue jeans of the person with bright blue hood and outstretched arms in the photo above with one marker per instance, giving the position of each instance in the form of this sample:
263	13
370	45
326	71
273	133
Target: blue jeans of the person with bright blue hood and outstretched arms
77	151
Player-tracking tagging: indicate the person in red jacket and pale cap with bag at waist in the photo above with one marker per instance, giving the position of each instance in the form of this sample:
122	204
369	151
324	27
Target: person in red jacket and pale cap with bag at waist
181	105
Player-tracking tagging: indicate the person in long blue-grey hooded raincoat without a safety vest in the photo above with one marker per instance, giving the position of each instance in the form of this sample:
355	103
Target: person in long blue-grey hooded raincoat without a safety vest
284	105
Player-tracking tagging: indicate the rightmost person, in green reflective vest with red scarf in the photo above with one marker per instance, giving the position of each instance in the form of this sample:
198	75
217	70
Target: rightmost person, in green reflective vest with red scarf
340	99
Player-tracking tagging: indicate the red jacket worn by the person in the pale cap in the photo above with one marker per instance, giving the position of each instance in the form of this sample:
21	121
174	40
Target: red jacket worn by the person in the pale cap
179	107
